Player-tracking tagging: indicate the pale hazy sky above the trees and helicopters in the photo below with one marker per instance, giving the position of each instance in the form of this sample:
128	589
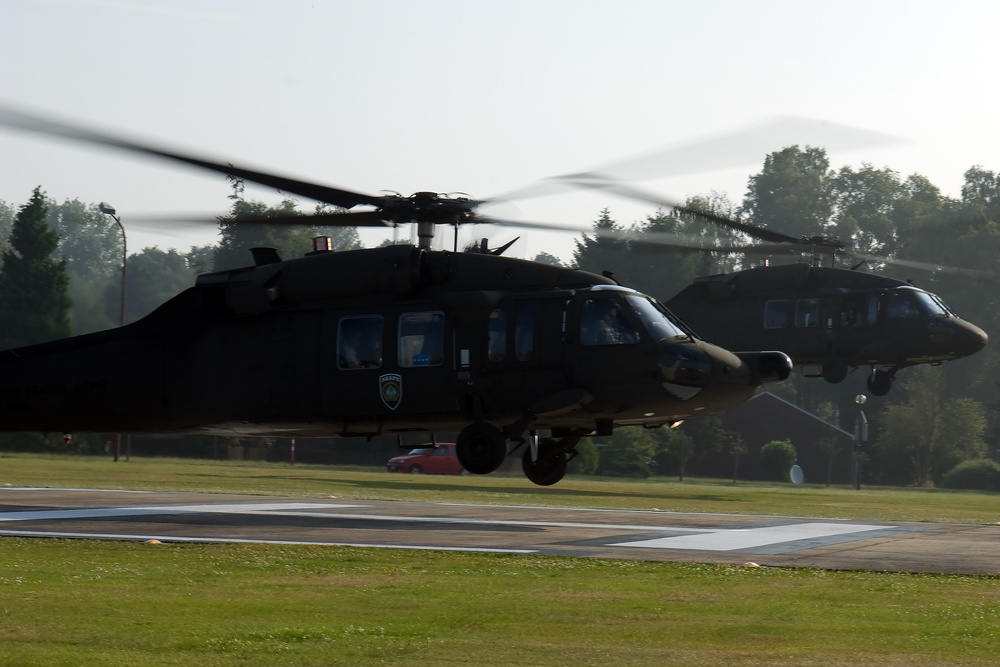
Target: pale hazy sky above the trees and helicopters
484	98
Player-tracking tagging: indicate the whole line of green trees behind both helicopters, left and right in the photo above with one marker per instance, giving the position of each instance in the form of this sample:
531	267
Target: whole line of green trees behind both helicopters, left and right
65	260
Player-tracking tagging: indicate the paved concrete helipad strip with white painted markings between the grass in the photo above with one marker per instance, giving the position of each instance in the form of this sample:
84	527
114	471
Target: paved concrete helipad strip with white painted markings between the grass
637	535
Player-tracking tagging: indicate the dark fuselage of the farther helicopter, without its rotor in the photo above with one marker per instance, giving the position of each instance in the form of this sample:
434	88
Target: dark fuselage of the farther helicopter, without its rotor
814	313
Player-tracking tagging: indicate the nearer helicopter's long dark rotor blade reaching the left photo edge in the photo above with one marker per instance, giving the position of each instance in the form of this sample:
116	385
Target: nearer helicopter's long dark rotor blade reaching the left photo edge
323	193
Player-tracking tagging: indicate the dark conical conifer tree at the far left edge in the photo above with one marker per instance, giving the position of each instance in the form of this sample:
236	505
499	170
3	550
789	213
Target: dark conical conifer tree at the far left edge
34	298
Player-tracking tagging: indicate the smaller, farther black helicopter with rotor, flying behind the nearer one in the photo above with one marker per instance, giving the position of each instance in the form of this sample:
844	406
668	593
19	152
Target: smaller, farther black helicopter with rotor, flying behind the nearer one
828	320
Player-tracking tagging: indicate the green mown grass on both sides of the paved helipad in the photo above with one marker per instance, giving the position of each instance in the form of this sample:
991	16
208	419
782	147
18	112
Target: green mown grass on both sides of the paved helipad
121	603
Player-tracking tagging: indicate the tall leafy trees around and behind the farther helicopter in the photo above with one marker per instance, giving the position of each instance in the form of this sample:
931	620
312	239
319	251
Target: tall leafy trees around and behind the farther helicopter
936	417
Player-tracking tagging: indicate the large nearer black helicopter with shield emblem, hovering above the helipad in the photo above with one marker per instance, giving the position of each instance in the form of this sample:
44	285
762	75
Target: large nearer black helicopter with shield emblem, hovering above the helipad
384	341
